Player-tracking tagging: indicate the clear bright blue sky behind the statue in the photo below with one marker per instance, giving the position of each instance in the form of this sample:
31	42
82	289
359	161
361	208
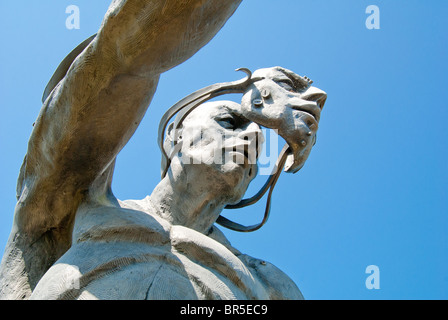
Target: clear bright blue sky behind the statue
375	189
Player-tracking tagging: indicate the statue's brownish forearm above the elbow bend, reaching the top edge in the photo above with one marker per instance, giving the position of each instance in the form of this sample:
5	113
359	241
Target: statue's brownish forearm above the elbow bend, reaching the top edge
154	36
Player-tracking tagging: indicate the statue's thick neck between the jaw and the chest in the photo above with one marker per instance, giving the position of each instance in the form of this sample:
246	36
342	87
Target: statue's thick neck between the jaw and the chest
188	207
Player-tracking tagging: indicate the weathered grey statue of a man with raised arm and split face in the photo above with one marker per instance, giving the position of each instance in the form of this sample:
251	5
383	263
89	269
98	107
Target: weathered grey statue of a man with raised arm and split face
72	239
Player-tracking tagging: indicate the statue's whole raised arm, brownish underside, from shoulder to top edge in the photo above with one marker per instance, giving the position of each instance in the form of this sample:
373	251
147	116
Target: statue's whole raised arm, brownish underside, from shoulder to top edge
90	116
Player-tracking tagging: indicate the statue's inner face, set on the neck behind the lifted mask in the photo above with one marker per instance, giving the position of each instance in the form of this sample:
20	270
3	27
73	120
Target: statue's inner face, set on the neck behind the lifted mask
221	146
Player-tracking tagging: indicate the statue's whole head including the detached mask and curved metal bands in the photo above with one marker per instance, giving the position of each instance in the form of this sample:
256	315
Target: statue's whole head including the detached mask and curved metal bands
216	141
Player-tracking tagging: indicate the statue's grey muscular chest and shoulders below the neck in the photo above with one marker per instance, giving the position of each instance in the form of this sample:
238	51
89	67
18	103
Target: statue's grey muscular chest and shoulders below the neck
120	253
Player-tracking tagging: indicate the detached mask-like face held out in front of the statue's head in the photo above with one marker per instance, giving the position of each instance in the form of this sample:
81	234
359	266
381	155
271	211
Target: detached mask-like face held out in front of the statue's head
288	103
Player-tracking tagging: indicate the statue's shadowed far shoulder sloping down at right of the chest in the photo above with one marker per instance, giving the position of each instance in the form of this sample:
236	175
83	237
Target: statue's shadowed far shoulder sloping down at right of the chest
277	283
